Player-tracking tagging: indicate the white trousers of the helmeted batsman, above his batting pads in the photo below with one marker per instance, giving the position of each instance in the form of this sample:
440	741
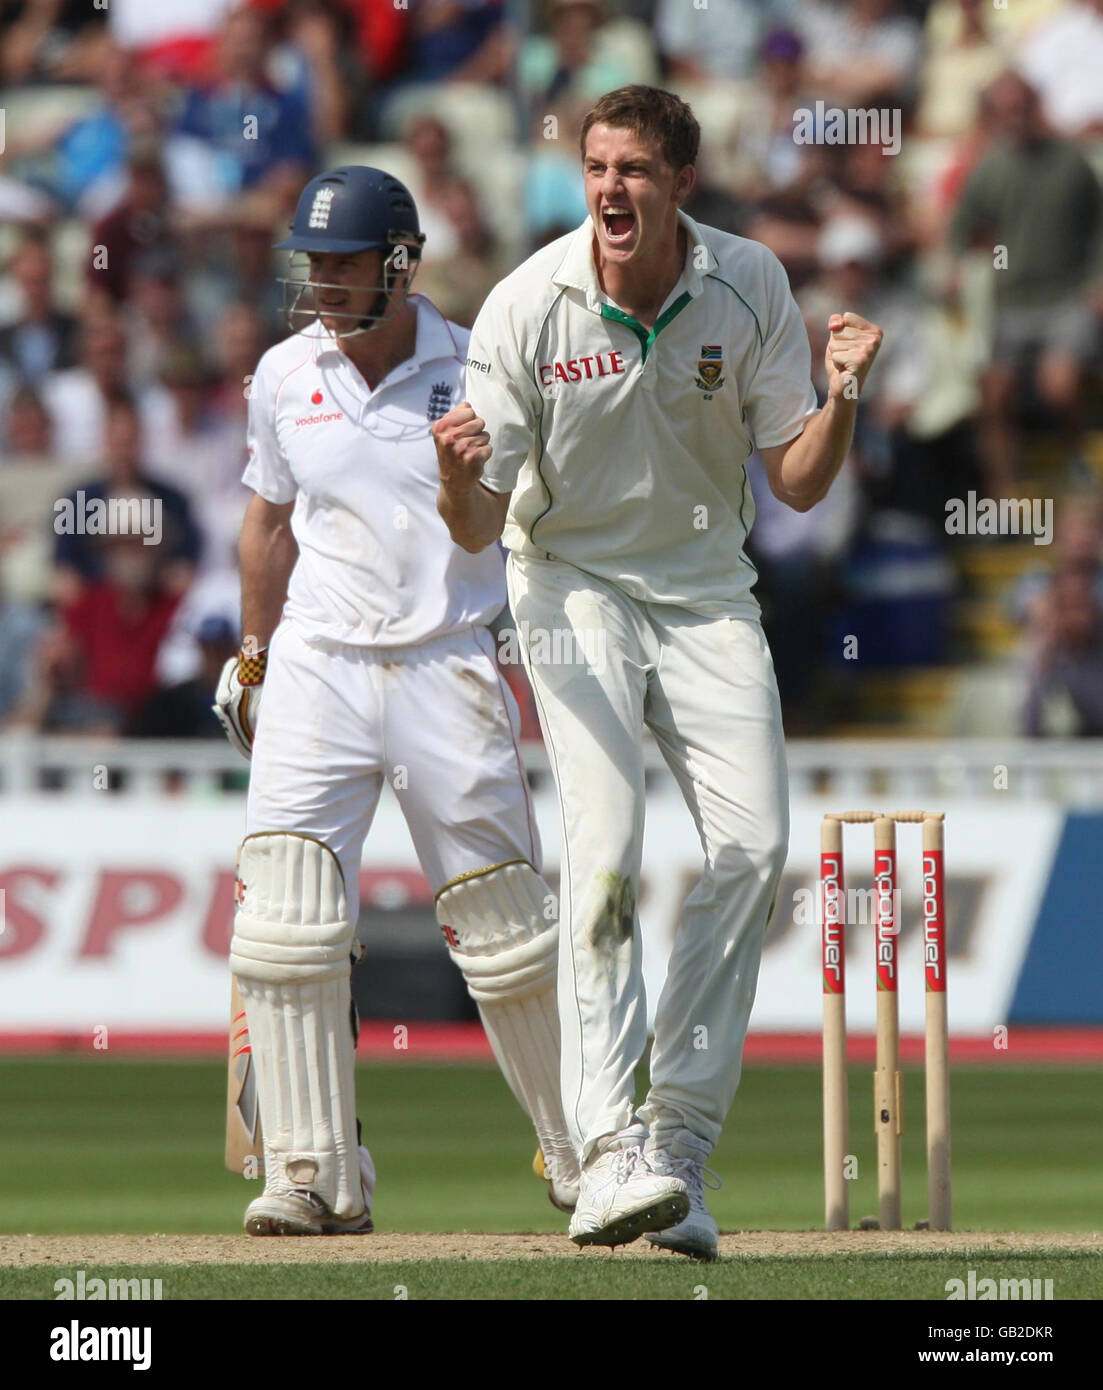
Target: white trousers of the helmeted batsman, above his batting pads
437	721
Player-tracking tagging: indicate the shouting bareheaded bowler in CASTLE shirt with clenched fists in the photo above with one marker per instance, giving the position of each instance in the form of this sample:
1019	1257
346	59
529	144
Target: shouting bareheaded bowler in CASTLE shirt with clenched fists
616	386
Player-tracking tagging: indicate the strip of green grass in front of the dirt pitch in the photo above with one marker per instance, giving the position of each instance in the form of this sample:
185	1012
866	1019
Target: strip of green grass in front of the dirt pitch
1077	1277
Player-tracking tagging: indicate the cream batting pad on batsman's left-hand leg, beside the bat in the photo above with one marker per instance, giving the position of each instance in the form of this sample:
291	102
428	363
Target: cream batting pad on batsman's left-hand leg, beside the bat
291	957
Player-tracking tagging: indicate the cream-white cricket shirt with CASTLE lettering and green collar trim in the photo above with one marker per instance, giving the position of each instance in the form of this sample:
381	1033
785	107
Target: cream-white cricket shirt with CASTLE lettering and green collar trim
626	450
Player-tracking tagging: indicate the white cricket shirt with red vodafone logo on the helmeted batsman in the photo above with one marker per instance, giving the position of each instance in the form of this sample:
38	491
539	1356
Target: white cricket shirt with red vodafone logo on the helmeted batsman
377	566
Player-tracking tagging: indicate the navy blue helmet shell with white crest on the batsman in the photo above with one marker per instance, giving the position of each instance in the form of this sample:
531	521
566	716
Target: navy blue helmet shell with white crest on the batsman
354	209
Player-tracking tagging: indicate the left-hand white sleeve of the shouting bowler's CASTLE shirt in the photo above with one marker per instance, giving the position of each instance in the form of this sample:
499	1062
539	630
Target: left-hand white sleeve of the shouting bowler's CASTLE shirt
502	391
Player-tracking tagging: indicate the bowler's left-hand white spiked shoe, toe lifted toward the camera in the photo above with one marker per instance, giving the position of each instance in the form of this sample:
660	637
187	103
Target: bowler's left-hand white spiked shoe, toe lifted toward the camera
620	1197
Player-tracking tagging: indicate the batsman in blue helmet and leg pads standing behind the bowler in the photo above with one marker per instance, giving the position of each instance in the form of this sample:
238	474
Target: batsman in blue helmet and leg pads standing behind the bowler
367	658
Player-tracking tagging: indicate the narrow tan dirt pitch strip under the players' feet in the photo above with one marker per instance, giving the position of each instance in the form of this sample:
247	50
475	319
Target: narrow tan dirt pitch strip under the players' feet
23	1252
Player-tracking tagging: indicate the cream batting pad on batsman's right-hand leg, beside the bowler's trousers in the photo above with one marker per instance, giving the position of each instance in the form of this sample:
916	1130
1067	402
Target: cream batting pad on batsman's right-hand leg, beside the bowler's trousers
508	951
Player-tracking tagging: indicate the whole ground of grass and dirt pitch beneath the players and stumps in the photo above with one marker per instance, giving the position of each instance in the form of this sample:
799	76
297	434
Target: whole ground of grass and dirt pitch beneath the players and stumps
101	1146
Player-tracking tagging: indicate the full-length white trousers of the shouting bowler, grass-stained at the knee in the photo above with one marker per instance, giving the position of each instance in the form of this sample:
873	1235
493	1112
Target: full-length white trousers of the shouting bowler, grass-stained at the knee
605	667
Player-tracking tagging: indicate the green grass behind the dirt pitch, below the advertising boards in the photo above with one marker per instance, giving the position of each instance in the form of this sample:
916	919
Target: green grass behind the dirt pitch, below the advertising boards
91	1146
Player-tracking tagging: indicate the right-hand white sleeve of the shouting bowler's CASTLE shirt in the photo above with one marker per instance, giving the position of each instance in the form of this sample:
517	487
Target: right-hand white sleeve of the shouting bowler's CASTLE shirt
781	395
